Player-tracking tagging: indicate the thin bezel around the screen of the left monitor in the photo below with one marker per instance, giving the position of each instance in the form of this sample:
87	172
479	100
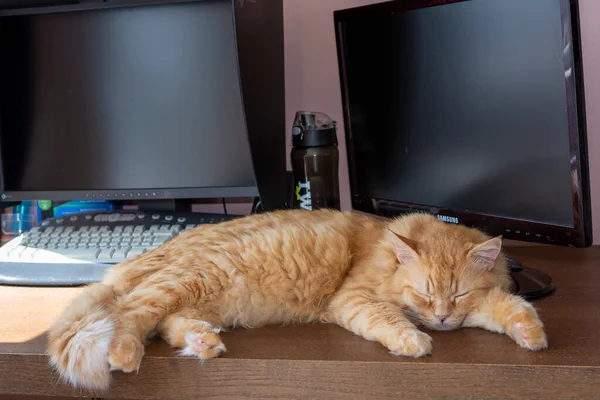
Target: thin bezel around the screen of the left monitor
164	193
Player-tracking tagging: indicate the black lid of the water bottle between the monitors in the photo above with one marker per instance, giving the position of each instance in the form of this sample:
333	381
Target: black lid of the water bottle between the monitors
313	129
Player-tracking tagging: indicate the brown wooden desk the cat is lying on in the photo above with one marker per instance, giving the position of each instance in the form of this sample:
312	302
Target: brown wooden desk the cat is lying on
324	361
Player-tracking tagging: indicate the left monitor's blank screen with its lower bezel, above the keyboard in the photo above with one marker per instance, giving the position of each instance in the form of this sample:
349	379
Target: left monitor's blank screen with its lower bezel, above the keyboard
123	102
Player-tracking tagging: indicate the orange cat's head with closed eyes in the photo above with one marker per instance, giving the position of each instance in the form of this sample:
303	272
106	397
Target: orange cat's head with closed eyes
444	280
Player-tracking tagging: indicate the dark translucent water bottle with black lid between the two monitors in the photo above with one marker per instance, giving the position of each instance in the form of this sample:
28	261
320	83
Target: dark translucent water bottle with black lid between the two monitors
315	161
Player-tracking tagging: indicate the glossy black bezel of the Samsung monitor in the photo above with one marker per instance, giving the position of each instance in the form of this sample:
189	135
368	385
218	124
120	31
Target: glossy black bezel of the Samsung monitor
580	235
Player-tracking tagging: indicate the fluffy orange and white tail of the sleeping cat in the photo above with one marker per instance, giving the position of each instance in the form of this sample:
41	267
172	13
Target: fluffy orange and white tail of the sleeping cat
78	341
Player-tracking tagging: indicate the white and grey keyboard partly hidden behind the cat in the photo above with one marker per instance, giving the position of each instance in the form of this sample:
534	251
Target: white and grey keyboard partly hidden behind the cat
78	249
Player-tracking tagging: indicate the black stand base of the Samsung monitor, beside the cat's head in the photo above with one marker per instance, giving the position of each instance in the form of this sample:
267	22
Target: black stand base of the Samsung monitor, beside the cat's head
530	283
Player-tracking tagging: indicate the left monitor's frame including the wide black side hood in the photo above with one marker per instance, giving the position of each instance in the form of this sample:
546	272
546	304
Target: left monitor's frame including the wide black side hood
258	30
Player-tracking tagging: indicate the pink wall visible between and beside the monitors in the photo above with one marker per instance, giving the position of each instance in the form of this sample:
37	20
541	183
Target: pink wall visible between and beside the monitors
312	79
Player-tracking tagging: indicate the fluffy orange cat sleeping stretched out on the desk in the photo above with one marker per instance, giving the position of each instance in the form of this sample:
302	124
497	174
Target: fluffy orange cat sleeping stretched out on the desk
377	278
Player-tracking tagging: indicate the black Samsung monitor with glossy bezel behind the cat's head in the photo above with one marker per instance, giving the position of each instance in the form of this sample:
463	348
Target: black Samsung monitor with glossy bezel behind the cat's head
470	110
